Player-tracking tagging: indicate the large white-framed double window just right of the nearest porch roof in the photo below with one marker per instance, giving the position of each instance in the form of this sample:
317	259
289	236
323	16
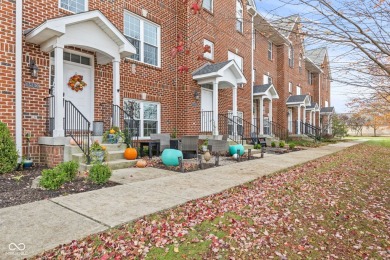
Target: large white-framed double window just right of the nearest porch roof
145	37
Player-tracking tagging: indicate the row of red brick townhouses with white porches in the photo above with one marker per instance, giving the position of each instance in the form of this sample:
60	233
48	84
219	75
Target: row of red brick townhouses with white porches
71	67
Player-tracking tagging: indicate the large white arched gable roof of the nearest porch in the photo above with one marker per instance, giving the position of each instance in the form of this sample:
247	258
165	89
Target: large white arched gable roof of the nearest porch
89	30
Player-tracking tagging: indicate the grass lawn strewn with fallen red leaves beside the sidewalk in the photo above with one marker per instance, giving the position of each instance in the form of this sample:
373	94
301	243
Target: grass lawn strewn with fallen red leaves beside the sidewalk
334	207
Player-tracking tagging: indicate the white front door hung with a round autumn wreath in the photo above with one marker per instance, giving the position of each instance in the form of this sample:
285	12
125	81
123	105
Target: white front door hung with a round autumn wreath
83	99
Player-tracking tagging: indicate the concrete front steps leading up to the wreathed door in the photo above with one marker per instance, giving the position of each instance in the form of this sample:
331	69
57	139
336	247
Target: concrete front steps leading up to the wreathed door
114	159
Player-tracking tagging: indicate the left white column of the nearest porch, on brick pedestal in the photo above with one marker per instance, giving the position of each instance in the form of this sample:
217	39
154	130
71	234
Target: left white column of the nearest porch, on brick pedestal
59	114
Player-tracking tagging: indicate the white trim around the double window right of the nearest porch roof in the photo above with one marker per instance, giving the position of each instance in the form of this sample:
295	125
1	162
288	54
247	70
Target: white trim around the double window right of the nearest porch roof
142	41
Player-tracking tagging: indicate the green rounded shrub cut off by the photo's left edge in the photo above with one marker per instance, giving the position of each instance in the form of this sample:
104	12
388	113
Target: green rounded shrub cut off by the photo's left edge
8	153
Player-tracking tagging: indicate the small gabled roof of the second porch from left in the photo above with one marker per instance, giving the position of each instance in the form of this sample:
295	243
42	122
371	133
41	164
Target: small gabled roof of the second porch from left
226	72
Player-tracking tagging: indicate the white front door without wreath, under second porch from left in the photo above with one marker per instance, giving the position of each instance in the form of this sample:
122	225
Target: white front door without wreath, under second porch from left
206	110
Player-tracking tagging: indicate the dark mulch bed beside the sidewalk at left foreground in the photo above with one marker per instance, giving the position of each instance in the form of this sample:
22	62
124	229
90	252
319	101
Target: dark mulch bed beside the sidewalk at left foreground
15	187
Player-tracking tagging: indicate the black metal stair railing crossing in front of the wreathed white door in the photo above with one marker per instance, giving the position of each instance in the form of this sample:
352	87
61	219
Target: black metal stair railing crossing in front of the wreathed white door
77	126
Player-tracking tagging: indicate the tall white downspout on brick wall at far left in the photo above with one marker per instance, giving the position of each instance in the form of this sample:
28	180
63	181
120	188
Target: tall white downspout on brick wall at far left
18	77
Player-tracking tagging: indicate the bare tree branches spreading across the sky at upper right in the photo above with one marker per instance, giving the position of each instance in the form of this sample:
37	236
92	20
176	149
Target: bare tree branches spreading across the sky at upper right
359	31
